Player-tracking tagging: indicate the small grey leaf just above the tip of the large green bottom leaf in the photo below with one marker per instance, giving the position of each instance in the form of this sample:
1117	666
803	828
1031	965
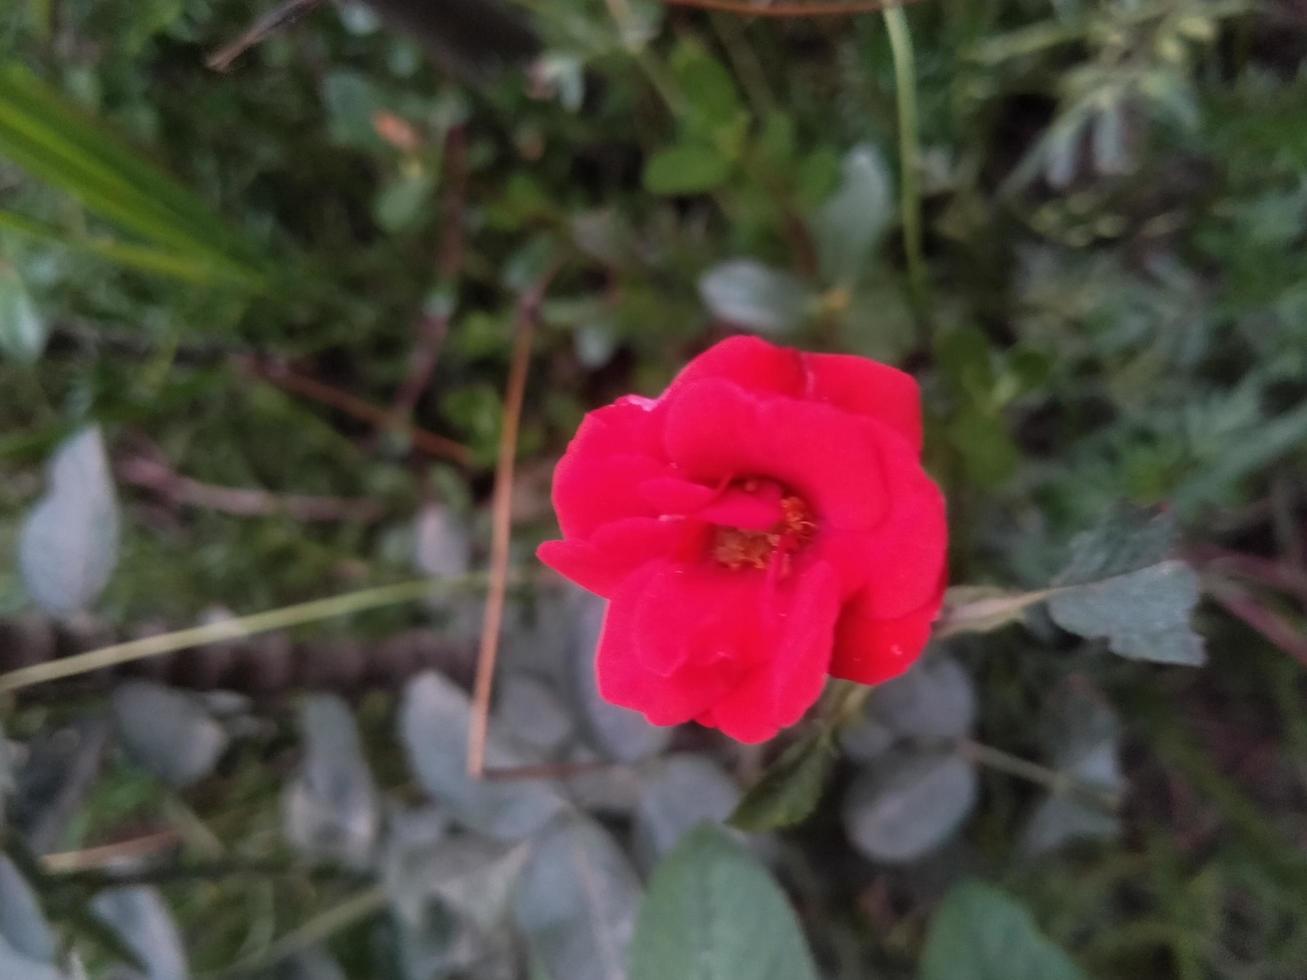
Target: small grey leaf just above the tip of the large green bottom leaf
676	795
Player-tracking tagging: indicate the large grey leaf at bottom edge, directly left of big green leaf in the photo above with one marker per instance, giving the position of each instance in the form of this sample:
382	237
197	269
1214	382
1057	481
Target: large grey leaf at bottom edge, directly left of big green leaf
577	902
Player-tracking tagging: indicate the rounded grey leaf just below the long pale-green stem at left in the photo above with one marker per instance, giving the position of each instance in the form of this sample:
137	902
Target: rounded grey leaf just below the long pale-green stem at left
168	732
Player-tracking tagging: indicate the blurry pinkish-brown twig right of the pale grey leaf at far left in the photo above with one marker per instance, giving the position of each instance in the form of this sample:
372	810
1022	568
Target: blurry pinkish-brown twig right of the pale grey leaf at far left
154	474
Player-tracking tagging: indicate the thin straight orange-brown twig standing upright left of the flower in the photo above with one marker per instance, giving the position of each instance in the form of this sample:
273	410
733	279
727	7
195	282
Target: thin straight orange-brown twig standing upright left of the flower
529	317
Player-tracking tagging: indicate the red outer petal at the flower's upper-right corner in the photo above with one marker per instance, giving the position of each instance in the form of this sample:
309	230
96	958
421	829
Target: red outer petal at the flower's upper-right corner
869	389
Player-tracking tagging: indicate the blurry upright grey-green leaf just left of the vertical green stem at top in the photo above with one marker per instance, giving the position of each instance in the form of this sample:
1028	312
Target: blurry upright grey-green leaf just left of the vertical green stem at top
850	225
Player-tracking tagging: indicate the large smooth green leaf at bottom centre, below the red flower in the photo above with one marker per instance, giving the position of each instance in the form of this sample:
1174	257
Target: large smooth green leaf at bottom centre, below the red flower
713	913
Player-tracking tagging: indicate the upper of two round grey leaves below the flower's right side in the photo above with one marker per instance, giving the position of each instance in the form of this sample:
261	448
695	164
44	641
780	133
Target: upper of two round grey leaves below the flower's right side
935	700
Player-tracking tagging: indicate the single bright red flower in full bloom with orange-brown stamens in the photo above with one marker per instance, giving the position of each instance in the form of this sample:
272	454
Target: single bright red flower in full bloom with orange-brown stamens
763	525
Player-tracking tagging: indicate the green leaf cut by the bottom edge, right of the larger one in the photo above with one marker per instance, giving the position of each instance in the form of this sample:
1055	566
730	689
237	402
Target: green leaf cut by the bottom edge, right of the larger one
980	934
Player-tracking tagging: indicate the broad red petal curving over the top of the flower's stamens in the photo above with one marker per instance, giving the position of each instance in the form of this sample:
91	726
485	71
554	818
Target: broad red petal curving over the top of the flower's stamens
716	431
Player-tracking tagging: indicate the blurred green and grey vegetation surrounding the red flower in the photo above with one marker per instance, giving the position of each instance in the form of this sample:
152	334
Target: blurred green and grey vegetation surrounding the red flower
257	327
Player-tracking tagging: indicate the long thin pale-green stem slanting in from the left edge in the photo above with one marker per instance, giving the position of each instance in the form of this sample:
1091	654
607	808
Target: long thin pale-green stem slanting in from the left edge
233	629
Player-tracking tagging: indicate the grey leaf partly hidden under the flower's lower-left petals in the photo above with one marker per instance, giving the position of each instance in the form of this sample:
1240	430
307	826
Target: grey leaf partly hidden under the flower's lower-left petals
620	734
